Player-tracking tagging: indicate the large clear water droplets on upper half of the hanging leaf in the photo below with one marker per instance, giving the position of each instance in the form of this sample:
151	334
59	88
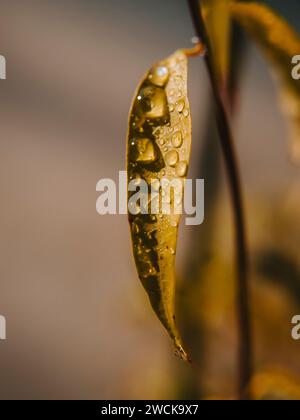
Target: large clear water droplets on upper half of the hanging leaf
153	113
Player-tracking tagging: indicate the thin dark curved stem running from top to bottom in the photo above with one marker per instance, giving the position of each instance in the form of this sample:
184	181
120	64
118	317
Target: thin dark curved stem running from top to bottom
228	149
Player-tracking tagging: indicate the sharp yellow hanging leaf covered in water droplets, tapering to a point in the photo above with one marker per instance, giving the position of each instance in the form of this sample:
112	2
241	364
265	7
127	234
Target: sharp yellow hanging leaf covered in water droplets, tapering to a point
158	150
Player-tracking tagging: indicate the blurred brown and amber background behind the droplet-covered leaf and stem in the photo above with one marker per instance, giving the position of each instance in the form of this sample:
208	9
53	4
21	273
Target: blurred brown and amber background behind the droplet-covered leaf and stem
78	322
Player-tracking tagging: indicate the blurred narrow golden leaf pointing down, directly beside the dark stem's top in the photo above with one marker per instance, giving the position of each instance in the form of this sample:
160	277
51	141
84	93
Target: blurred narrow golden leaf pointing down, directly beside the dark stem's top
217	18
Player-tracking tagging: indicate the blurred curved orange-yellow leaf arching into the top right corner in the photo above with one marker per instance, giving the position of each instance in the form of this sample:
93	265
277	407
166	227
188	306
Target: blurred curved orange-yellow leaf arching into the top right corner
279	43
